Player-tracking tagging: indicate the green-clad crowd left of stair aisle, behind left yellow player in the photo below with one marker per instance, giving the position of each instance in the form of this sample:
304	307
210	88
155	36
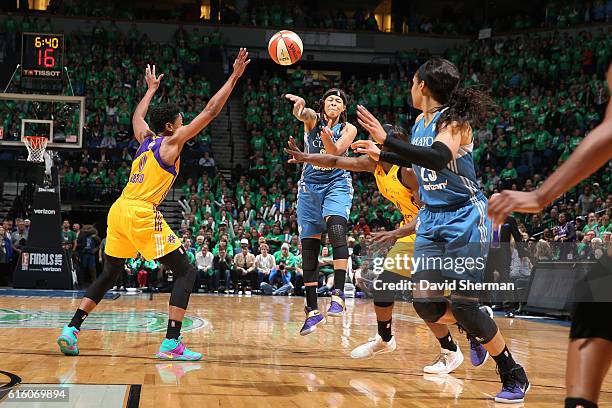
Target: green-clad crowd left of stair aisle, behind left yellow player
105	66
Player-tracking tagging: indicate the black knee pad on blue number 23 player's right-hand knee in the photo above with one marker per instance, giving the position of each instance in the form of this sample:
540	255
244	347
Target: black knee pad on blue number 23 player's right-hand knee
475	321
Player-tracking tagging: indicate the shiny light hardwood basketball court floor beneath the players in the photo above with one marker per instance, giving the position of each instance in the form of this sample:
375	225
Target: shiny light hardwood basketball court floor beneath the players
255	357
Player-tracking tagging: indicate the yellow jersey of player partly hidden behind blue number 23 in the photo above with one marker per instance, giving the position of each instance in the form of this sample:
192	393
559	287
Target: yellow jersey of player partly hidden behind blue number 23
393	190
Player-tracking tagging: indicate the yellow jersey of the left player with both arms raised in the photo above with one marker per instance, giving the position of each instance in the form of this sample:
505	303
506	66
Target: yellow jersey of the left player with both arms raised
150	178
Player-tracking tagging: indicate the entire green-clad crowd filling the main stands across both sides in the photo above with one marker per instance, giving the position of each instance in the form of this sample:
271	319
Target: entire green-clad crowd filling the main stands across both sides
548	90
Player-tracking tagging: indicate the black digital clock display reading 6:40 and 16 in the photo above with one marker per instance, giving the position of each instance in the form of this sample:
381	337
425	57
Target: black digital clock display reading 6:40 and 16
42	55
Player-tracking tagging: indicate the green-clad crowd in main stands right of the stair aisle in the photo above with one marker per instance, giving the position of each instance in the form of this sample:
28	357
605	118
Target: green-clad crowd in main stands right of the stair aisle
548	91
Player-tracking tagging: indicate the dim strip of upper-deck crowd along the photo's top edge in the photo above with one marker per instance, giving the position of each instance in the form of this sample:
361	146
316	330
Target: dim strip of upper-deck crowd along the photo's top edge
302	15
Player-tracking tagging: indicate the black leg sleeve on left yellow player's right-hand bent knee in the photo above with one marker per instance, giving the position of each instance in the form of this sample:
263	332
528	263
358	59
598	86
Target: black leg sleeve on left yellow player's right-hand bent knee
184	277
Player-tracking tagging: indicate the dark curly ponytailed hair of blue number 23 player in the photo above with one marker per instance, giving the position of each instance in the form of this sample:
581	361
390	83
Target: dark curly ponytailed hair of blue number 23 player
459	105
